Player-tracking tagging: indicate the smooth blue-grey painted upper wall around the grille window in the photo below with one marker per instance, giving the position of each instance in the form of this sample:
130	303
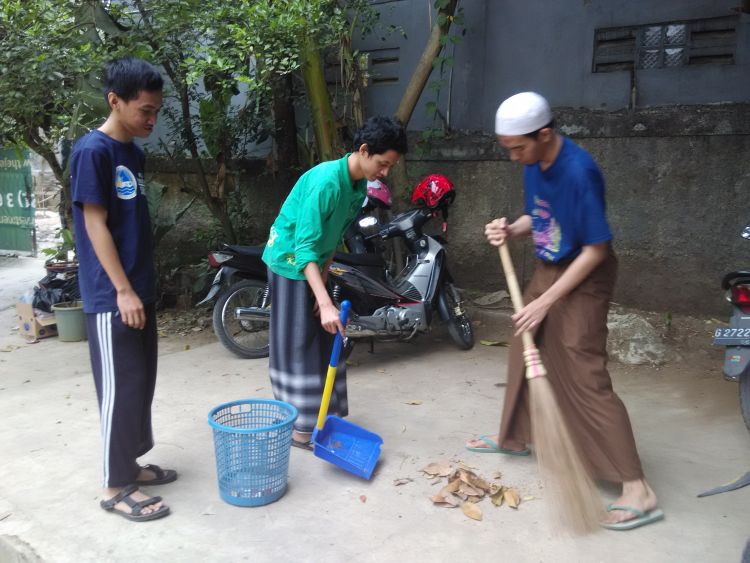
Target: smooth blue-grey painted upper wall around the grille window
510	46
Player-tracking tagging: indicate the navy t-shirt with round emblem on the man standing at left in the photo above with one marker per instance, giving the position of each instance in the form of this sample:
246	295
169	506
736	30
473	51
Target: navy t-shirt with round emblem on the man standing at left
109	173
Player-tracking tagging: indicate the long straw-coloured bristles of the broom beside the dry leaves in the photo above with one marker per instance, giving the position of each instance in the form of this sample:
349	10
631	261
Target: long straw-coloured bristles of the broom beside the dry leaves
574	499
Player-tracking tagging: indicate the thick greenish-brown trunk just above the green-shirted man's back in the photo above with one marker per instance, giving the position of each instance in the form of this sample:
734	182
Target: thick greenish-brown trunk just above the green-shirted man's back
321	111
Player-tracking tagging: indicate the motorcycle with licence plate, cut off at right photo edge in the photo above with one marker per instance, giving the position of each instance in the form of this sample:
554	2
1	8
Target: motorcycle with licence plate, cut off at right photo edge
736	338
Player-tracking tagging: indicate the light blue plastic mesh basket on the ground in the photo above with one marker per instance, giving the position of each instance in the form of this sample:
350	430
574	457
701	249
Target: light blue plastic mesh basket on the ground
252	439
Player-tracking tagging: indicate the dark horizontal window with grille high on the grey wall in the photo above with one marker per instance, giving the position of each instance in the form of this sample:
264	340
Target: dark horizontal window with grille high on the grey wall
663	45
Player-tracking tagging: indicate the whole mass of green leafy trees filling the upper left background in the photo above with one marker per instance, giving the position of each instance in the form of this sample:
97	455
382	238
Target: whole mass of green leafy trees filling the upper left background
228	66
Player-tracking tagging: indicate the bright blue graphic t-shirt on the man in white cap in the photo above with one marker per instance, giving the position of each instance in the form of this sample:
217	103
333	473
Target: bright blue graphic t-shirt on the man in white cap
566	204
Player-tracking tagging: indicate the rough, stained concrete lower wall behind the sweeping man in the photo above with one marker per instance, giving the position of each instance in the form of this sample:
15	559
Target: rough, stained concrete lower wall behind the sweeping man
678	195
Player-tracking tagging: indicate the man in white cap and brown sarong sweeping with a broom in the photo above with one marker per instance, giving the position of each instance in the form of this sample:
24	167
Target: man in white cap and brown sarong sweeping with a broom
567	301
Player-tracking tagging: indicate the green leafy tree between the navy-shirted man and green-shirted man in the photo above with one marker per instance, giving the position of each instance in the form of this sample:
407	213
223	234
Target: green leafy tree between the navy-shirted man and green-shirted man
225	61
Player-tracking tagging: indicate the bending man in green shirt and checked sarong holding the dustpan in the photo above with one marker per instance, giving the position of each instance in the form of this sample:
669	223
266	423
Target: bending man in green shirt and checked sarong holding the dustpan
300	247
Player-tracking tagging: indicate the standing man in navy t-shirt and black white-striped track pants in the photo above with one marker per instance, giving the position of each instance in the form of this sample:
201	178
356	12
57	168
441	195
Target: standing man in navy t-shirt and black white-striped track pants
117	279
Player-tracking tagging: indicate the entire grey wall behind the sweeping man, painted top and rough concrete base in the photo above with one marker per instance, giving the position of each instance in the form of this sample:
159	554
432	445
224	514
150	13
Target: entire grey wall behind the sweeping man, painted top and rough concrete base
675	160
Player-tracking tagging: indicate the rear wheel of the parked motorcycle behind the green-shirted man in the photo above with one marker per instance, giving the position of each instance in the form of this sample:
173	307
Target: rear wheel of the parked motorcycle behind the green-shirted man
246	339
